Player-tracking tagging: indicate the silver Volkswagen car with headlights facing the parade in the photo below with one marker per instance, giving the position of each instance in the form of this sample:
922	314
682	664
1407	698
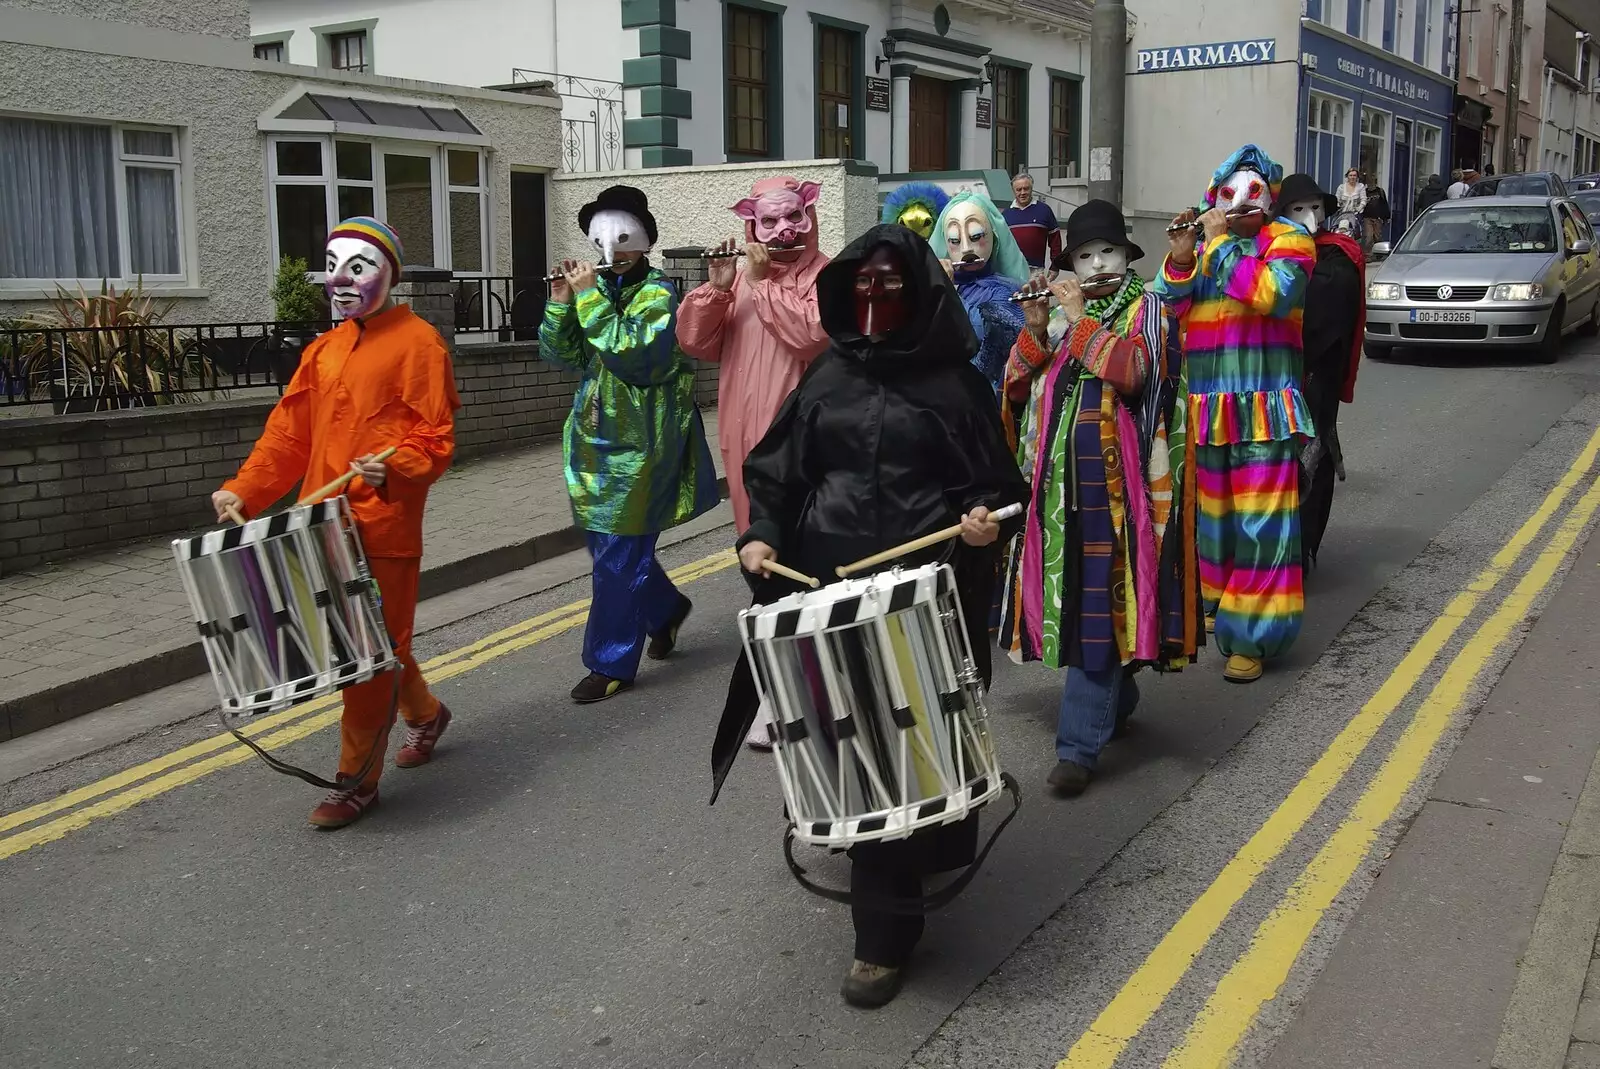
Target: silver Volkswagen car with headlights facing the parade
1487	271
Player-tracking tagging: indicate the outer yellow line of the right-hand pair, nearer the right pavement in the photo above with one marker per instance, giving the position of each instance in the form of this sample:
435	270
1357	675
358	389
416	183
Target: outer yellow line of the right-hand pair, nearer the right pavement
1258	975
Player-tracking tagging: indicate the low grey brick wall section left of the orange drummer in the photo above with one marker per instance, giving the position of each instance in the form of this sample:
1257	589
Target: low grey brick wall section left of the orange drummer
73	484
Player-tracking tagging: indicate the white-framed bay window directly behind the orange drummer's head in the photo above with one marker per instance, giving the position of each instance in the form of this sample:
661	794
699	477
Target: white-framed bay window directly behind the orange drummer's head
436	198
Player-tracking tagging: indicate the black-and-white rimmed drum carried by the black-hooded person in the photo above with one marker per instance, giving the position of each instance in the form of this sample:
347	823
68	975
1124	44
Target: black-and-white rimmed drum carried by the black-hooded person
879	723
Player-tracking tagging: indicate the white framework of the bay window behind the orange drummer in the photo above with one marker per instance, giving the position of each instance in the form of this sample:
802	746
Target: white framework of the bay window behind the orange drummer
439	156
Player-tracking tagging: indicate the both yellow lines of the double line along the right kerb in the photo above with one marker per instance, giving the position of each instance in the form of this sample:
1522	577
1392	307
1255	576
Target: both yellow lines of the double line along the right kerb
1233	1009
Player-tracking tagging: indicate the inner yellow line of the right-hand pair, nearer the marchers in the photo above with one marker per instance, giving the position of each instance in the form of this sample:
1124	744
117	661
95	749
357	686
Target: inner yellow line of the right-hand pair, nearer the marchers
1156	979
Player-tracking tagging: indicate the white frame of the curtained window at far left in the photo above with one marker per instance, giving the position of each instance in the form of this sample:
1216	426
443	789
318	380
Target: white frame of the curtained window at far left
121	161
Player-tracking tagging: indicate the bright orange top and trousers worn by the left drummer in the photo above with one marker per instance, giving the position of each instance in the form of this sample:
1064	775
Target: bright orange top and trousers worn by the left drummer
361	388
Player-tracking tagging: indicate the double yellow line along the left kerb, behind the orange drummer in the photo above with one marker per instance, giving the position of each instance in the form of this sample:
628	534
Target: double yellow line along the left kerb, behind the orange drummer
185	766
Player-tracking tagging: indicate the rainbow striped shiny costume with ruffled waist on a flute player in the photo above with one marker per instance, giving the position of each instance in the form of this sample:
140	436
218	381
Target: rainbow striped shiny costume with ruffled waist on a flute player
1241	310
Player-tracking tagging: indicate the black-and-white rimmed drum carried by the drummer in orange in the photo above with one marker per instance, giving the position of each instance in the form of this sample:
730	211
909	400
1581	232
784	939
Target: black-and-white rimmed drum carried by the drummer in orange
286	607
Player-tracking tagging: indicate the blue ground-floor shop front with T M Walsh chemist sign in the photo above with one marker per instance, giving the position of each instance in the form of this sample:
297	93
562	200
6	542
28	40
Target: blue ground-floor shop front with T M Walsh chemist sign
1370	110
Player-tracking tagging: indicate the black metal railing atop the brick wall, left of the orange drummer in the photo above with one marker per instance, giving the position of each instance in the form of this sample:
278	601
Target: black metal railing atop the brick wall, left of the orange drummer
105	369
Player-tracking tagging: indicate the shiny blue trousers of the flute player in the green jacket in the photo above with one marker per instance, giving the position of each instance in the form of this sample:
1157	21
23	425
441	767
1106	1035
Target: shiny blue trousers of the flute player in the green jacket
633	599
